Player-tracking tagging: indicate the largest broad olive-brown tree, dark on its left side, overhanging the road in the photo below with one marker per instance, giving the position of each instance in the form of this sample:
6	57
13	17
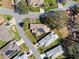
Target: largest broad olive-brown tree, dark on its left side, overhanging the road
57	20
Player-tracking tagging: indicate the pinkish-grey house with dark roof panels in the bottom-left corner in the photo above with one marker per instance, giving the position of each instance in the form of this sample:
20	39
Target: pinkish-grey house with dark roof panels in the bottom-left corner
10	49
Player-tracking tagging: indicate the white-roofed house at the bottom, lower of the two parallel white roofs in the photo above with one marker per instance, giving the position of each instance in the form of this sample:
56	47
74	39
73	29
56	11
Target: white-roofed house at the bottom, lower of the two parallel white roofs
55	52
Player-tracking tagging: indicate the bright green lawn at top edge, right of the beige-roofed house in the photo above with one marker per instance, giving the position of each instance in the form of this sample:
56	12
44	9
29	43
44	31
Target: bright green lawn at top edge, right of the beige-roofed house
50	4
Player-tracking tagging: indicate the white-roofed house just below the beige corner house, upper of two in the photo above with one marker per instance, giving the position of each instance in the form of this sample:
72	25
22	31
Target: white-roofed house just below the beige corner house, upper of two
48	39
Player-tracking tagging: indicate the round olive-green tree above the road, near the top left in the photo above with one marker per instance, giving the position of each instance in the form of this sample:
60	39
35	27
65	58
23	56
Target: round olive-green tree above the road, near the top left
22	7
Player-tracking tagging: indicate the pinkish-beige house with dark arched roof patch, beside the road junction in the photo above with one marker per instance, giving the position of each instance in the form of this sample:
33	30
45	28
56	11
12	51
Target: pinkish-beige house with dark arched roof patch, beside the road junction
39	29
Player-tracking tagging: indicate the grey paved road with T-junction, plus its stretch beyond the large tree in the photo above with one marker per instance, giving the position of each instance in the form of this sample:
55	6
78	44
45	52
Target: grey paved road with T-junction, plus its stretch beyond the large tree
19	18
